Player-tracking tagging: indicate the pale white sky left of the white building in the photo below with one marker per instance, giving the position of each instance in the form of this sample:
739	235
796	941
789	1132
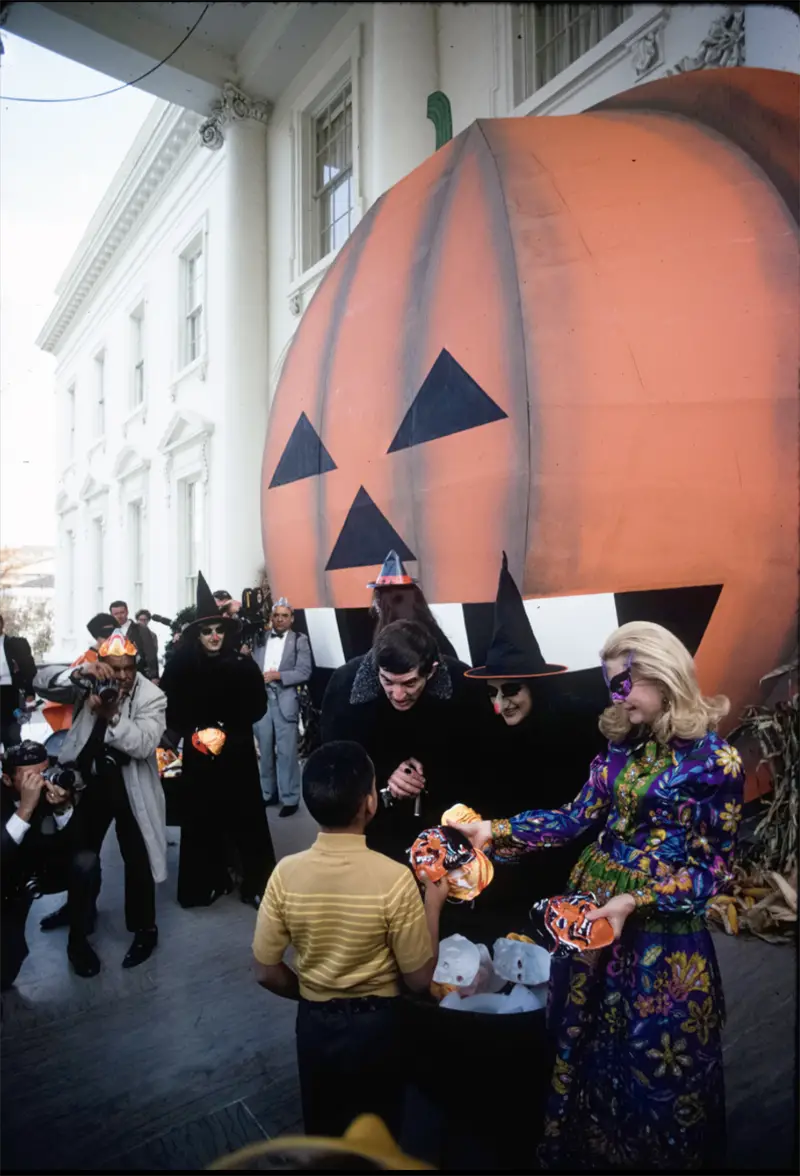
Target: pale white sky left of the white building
57	161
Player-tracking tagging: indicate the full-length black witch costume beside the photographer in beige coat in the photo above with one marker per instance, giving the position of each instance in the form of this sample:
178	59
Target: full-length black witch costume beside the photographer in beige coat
223	796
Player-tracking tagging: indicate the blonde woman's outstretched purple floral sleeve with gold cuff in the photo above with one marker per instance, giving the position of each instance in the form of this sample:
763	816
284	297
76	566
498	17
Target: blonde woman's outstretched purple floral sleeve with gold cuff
544	828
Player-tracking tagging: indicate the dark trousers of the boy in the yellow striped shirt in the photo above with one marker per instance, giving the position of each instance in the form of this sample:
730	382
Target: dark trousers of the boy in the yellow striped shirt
349	1064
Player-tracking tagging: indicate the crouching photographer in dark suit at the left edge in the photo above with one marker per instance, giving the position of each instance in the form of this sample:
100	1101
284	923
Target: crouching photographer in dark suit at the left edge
39	854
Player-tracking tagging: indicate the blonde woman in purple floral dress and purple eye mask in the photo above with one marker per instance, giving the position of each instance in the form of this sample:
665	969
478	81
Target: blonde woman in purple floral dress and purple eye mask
638	1078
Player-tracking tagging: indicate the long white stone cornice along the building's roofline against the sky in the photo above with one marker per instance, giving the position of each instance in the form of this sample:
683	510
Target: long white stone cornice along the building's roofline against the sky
174	136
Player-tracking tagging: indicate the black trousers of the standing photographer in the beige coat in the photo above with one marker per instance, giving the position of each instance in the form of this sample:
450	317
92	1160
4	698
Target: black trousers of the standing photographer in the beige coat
104	801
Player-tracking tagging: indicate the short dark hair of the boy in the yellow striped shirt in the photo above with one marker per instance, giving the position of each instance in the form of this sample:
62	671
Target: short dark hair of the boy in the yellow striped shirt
336	780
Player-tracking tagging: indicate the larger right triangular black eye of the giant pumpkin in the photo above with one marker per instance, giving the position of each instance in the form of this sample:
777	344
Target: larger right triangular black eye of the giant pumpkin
450	402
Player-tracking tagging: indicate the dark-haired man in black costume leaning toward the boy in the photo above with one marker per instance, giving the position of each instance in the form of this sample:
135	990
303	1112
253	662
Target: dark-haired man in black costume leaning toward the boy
424	726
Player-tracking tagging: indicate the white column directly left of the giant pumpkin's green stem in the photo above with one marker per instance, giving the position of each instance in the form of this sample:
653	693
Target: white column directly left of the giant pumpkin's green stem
405	73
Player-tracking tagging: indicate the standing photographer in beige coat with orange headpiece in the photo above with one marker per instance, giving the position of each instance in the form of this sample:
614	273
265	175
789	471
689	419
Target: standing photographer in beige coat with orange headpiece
117	725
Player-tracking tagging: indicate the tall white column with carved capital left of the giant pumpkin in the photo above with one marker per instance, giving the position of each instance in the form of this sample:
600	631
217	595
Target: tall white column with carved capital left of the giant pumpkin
236	469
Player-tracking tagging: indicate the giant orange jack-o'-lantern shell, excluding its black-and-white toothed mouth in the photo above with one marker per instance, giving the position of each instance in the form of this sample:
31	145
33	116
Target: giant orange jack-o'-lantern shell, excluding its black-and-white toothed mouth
574	339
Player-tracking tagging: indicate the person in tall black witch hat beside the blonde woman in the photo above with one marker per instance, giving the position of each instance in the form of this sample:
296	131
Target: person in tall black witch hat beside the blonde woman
544	740
